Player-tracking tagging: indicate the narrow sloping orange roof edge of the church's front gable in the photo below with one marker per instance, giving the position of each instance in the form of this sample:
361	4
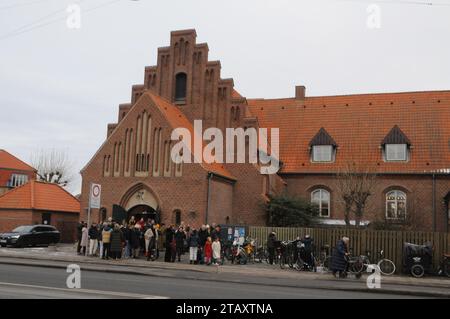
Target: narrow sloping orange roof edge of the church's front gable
176	119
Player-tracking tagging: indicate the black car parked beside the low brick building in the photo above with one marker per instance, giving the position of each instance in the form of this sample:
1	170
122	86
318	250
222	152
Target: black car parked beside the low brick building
25	236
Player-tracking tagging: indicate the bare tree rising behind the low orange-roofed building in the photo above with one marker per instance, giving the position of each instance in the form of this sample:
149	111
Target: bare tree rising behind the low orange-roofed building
53	166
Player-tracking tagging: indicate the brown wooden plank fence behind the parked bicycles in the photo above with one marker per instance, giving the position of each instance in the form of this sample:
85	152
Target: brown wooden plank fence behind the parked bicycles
361	241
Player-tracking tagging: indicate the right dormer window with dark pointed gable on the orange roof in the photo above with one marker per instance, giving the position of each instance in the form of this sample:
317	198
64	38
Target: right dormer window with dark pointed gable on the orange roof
396	146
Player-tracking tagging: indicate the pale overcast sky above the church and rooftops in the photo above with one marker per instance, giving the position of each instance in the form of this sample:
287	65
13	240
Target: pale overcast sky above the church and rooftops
60	87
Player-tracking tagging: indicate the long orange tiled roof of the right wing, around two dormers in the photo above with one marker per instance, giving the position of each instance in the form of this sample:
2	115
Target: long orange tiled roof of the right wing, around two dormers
358	124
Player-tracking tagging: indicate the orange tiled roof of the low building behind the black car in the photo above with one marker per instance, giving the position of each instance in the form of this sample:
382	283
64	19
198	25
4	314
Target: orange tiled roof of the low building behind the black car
41	196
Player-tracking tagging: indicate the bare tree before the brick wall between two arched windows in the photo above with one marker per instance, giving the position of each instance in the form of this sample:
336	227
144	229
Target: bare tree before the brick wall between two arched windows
355	184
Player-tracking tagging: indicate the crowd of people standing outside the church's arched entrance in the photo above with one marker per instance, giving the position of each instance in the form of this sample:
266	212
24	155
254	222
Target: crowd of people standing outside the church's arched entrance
145	238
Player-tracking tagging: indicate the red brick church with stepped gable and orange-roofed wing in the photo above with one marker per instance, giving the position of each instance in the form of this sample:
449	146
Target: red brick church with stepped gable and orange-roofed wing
405	136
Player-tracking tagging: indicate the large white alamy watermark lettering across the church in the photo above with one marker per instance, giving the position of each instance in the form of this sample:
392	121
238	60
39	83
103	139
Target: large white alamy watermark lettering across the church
237	142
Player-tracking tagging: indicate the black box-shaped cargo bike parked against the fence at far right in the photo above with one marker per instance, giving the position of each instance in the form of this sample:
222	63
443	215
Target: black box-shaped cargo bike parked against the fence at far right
417	259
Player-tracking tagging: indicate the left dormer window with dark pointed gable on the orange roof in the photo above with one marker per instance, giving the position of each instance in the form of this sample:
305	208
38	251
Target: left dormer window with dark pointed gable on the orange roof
323	147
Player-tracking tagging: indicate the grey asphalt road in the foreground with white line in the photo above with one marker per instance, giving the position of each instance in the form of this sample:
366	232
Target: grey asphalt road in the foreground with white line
41	282
